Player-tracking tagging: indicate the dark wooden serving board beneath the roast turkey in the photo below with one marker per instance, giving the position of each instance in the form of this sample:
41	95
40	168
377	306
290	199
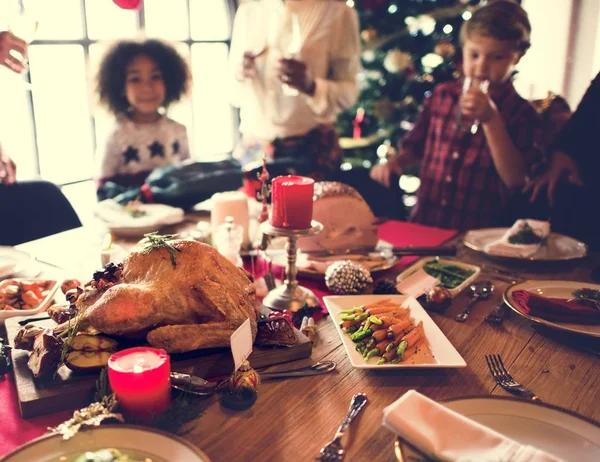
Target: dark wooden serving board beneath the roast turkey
71	390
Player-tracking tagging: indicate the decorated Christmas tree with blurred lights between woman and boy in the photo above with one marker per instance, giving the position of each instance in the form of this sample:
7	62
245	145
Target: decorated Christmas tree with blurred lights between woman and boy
408	47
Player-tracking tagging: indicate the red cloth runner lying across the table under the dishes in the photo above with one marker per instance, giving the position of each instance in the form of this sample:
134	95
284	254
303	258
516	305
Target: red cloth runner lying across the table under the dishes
16	431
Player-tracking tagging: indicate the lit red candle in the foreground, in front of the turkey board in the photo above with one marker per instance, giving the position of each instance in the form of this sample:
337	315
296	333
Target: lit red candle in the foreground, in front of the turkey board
140	379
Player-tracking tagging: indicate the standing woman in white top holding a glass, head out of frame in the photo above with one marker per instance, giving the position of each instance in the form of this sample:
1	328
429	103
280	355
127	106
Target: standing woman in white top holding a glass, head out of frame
307	47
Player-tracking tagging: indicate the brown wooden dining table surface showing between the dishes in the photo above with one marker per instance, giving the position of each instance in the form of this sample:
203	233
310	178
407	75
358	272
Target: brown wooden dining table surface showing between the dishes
293	418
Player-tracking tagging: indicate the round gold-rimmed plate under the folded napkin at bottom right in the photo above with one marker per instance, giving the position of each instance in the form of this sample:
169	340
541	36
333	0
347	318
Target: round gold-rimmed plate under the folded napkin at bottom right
558	432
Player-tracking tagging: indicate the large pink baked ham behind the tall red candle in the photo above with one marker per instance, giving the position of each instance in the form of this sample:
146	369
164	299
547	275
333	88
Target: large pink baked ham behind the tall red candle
347	219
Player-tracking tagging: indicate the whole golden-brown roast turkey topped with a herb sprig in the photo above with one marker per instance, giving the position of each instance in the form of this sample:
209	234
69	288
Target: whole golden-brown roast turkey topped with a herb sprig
186	298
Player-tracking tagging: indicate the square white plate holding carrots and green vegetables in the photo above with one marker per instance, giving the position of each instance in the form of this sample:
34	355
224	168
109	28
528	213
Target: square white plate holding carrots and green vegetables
443	351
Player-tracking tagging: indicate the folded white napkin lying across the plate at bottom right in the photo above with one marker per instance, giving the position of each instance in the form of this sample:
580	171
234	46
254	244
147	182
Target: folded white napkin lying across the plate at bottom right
446	435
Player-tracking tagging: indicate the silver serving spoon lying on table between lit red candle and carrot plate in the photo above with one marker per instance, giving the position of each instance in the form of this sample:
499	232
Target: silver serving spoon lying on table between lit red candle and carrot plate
201	387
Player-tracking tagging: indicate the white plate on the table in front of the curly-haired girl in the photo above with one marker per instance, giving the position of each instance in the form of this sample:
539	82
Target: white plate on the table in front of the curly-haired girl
121	223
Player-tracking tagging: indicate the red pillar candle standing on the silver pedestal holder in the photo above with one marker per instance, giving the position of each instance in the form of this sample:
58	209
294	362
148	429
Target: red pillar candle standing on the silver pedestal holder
292	202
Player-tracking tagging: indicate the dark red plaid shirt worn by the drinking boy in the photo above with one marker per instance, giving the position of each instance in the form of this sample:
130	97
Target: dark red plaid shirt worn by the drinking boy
460	187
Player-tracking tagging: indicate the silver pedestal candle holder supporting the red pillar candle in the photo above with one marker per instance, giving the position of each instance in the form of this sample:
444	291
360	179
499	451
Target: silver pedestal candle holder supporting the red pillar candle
290	295
